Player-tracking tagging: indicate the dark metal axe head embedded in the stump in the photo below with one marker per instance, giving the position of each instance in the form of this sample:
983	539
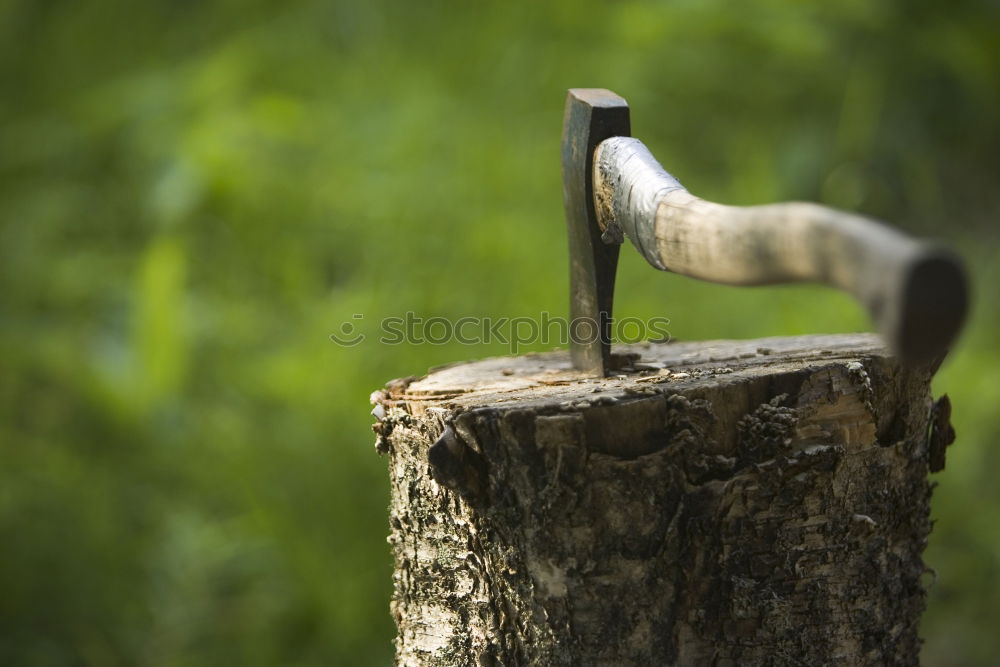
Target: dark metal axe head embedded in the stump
592	115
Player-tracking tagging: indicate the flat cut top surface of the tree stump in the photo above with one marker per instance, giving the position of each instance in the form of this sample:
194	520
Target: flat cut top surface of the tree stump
548	377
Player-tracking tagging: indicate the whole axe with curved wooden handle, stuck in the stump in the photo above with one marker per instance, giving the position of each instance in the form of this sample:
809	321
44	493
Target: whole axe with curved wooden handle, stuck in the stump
915	292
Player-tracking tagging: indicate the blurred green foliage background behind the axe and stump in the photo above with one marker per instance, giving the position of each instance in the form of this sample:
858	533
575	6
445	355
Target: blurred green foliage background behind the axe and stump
194	196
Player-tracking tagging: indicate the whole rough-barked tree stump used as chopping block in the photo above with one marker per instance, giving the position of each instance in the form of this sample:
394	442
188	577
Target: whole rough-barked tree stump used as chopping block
727	502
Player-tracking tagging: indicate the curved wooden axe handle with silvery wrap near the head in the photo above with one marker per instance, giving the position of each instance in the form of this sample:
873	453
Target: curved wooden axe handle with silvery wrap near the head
915	292
